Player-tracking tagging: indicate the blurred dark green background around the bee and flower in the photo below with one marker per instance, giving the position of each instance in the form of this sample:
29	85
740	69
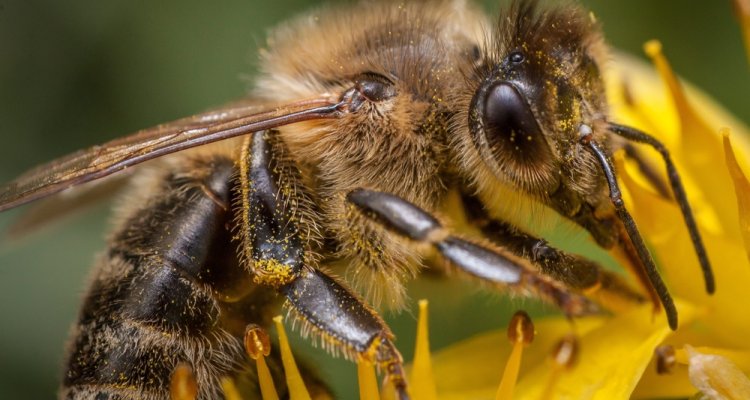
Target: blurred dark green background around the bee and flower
79	72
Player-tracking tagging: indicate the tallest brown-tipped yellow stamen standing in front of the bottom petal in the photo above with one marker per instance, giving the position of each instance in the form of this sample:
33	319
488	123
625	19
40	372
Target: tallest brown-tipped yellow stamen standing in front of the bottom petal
520	334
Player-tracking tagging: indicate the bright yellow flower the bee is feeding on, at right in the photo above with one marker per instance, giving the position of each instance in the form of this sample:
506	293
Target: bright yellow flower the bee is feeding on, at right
616	354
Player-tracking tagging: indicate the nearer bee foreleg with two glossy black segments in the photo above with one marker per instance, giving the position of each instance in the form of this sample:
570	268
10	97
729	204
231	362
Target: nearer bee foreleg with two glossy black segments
492	265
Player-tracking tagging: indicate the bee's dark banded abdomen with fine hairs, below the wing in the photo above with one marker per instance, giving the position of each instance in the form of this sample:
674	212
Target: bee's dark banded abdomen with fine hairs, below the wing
156	297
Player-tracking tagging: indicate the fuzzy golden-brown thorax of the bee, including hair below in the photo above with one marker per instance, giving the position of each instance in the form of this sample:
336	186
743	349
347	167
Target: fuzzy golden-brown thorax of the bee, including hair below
396	141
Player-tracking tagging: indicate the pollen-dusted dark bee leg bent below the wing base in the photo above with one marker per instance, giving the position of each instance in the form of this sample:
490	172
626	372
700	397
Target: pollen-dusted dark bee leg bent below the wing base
277	252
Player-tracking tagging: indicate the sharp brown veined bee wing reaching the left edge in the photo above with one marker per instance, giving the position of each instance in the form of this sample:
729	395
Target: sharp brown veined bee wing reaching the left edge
239	118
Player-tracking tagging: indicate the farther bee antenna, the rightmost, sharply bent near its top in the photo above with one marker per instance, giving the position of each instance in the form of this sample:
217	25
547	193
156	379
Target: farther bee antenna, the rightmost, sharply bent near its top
678	190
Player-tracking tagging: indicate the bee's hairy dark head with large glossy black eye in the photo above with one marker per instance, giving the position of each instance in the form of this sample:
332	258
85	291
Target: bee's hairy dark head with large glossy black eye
536	85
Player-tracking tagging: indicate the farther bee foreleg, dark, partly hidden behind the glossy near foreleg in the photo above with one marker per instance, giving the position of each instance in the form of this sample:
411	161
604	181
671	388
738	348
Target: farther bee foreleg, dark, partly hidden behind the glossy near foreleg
574	271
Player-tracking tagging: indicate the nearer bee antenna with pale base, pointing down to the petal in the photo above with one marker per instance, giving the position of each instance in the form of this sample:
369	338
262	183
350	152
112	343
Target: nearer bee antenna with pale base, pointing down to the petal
615	196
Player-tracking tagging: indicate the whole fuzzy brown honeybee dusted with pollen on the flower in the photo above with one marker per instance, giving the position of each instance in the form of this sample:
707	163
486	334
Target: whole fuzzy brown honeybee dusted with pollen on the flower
359	129
